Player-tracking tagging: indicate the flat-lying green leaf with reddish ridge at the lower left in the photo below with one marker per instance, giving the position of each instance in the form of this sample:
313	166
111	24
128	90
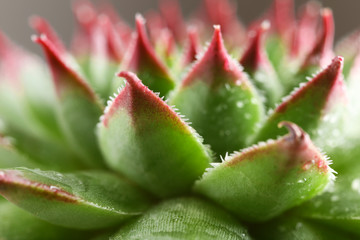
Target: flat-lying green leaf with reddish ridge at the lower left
83	200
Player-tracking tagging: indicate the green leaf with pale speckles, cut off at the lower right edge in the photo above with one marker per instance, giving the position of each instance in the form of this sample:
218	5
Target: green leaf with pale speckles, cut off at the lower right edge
339	206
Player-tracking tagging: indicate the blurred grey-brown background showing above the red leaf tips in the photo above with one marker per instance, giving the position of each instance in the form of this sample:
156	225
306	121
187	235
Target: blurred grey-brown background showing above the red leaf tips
14	14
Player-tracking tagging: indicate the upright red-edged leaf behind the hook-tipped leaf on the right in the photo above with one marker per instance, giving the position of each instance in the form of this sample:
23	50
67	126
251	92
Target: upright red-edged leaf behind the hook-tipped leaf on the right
314	106
